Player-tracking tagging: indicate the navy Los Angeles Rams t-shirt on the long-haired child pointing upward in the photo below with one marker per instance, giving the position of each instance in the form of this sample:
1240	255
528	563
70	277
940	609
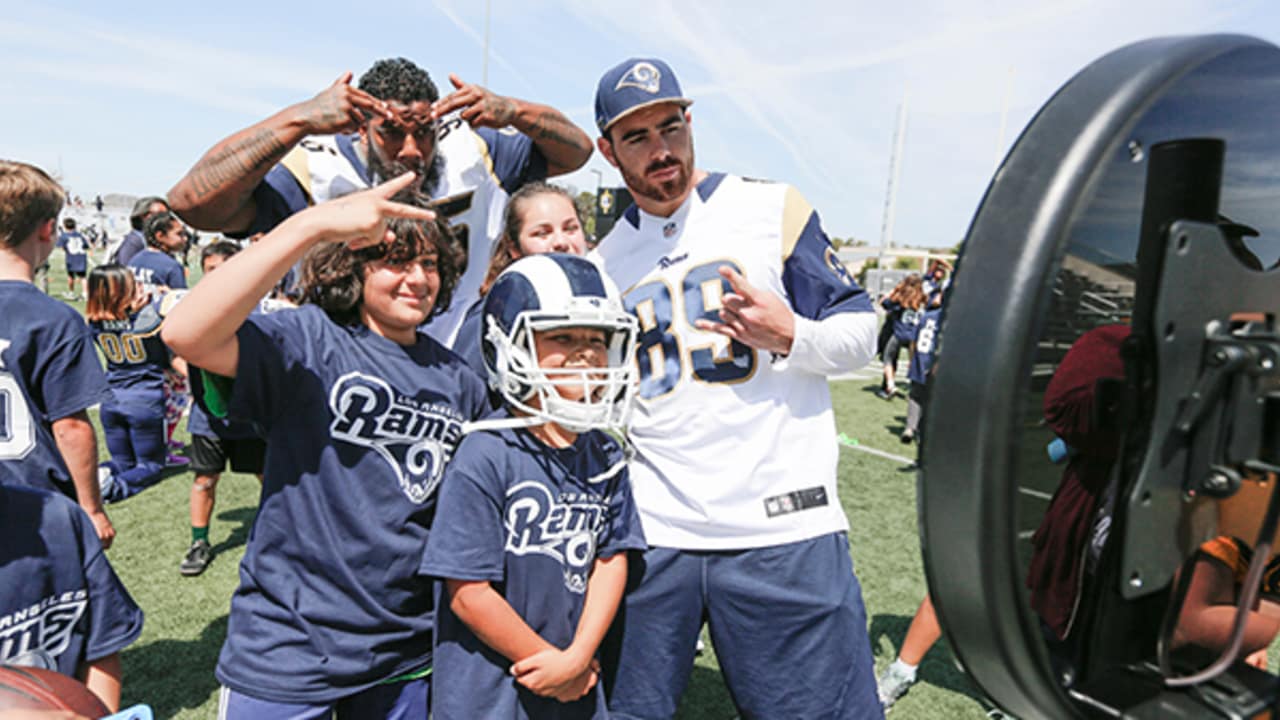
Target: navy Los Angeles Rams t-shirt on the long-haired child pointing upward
359	431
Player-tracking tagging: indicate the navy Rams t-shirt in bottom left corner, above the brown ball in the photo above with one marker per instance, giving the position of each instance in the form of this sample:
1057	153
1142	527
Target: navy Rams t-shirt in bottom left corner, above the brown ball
61	603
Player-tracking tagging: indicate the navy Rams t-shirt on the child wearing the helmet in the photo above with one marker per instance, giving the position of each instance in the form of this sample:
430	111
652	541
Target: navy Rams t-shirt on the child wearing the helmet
529	520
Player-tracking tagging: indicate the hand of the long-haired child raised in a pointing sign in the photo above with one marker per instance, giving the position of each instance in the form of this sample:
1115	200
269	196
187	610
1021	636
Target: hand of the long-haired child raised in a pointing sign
360	218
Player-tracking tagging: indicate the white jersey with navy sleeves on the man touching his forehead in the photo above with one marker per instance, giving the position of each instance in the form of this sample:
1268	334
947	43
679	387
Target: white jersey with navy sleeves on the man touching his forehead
482	170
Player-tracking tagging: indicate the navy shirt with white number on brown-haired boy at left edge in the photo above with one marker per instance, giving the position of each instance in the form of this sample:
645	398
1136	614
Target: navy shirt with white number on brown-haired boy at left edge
48	372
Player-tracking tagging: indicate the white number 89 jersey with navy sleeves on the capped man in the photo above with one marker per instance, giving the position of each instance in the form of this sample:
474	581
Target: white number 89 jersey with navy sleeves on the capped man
734	449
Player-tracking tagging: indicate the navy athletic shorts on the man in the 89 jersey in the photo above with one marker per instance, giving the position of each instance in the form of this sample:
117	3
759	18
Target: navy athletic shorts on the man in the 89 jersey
788	625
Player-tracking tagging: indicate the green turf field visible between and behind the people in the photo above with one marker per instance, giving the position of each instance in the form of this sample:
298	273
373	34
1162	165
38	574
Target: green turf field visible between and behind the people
172	666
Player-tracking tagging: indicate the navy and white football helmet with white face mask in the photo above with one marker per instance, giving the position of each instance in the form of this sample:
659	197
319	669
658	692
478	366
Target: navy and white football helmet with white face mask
545	293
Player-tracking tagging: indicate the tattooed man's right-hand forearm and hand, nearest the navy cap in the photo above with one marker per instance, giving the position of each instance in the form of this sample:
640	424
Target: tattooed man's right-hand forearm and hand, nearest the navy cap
564	144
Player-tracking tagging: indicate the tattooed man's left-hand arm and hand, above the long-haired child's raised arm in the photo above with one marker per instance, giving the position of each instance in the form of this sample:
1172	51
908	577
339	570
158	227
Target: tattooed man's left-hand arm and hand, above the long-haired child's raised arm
218	193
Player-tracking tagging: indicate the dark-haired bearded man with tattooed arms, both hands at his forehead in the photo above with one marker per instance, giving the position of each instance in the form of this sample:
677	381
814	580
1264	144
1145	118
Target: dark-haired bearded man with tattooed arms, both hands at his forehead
472	151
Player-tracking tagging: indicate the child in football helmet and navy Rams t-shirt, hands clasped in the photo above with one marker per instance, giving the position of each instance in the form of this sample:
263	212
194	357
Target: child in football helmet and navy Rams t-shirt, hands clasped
536	512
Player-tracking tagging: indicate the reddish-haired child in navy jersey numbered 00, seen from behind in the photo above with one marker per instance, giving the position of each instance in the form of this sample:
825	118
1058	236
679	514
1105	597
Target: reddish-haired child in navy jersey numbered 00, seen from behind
127	330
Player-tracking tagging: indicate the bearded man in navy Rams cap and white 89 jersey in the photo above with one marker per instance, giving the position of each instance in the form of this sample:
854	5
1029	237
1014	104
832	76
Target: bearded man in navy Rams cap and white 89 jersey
744	312
